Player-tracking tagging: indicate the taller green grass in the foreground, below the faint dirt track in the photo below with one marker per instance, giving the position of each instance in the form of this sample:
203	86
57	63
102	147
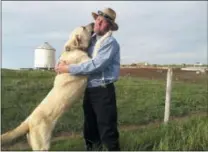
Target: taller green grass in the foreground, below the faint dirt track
191	134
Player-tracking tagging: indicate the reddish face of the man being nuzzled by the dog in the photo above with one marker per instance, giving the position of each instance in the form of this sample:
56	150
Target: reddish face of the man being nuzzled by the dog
101	25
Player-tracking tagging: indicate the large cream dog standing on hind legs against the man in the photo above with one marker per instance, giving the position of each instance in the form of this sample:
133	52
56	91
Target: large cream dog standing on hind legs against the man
66	89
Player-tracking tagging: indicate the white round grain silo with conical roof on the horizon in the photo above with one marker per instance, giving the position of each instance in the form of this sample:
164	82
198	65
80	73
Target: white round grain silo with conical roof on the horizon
45	57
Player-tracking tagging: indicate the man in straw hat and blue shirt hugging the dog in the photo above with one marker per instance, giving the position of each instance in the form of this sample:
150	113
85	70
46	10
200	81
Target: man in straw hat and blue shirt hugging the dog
99	104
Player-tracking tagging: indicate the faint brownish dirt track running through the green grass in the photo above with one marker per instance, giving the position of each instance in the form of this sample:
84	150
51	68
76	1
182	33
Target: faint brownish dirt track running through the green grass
68	135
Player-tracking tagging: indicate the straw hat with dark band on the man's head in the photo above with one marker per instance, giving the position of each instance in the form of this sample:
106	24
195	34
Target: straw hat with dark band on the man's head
108	14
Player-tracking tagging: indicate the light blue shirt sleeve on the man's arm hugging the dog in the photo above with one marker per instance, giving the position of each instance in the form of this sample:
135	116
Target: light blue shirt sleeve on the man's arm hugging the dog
101	61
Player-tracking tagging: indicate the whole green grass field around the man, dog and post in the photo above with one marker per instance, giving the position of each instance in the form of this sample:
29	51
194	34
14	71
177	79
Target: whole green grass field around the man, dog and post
140	102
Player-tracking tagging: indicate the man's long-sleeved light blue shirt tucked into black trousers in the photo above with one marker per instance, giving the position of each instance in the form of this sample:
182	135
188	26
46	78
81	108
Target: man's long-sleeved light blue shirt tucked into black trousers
104	68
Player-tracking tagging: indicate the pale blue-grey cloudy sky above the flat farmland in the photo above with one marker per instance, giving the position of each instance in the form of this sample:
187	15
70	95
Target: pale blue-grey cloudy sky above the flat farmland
157	32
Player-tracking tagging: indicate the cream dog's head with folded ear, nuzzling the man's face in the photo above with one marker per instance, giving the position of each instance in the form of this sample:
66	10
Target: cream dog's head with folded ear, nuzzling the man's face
80	38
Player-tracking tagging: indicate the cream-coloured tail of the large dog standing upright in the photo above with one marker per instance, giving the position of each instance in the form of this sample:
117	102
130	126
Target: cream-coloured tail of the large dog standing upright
15	133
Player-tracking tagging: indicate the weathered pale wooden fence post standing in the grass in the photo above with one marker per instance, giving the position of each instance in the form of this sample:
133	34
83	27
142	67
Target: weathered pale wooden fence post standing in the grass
168	95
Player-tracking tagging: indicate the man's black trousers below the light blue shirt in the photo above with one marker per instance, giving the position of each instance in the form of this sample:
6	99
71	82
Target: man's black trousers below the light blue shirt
100	118
